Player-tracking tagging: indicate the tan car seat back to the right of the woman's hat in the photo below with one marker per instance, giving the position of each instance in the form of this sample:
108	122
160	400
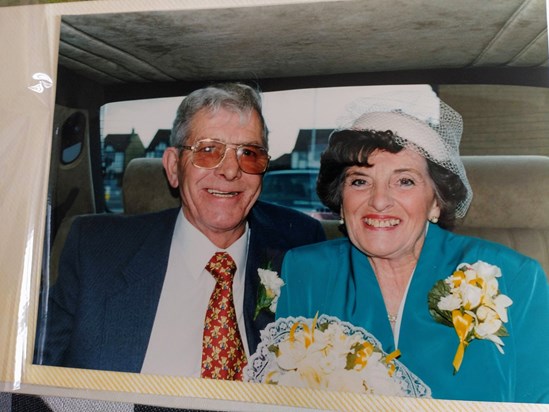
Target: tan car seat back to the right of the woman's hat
510	203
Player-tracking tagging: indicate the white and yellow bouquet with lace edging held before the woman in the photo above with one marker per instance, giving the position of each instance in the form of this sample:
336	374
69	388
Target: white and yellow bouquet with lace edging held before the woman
326	353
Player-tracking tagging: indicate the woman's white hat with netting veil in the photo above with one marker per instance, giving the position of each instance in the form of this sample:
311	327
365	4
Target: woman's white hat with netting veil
436	138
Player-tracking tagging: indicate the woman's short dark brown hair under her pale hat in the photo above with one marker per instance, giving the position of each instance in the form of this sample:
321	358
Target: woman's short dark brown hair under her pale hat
349	148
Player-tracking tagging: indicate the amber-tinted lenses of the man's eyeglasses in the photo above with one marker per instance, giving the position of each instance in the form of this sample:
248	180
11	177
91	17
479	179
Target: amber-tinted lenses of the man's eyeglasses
209	154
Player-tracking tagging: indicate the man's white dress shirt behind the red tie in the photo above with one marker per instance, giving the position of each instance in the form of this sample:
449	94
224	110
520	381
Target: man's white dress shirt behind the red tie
175	346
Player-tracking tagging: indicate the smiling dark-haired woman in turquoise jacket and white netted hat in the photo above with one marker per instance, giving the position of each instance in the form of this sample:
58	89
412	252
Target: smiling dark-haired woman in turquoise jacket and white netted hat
468	316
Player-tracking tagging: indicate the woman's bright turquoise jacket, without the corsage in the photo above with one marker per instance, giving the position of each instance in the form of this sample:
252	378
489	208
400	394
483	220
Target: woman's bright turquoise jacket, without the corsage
335	278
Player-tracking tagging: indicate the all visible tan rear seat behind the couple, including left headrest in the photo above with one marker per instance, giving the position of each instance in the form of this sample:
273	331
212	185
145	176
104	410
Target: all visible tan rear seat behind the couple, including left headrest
510	202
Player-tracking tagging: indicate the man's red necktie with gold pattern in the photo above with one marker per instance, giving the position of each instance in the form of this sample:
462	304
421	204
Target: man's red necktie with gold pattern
223	355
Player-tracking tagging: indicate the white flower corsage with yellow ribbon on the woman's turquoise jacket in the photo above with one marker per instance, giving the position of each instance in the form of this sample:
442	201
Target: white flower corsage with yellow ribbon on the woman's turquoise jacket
470	301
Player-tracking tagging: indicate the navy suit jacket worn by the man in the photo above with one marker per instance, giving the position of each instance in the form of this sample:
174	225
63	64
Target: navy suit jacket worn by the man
102	308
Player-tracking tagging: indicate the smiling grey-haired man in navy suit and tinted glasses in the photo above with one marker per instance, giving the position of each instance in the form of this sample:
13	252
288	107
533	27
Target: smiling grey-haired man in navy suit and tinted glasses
175	292
